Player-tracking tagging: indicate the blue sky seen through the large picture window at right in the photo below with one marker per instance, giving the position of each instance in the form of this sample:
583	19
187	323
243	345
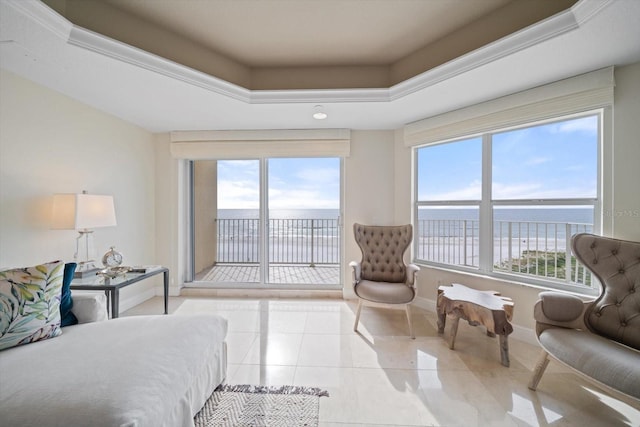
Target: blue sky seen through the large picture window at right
557	160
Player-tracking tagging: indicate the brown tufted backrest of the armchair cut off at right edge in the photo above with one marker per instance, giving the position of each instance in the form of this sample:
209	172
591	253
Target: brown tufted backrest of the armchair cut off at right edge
616	264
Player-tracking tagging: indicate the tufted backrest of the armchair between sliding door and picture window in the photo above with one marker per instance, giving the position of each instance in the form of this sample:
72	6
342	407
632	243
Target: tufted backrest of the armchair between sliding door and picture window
382	249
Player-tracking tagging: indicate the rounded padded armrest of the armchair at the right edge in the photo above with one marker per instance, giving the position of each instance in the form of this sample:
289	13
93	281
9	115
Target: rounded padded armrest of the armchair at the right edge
558	309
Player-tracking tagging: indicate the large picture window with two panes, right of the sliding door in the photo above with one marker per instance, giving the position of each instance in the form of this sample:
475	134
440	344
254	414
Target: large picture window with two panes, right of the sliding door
507	202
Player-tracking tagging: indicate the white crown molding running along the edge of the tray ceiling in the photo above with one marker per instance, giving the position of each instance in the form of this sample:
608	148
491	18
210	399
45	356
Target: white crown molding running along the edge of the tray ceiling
554	26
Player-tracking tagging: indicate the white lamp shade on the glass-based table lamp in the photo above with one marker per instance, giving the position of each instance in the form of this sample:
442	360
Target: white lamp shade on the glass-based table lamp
82	211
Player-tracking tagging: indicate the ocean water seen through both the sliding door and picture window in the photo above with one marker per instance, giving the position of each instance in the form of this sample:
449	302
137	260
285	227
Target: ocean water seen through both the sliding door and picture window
439	235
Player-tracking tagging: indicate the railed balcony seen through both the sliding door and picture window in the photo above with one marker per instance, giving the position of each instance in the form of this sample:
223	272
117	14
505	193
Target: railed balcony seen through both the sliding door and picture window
307	251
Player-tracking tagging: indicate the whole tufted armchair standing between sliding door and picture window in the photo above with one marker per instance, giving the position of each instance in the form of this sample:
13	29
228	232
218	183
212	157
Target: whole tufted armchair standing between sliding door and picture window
382	277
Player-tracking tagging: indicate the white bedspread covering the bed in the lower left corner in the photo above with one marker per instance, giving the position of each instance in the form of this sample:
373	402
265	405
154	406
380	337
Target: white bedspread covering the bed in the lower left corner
132	371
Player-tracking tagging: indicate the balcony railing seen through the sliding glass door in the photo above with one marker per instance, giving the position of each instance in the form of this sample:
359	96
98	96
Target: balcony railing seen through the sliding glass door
290	241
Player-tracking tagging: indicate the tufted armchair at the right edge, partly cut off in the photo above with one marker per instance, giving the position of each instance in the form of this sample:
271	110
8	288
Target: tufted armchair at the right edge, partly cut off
601	338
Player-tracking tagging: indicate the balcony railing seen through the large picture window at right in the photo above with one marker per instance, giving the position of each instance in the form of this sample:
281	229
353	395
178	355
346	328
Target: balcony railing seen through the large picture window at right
539	249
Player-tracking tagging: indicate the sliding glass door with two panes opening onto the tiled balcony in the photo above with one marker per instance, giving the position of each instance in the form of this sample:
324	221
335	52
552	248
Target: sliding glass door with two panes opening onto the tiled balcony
267	222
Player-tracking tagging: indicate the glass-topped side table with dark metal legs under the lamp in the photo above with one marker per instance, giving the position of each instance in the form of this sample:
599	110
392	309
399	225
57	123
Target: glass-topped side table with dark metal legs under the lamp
111	287
